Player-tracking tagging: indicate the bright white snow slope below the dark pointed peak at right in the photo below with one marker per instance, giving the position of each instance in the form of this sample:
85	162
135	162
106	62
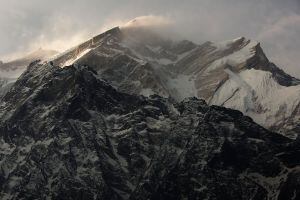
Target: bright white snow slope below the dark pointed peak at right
268	102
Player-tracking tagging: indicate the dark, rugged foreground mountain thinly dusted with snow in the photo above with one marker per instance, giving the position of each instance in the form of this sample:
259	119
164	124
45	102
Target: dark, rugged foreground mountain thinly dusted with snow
67	134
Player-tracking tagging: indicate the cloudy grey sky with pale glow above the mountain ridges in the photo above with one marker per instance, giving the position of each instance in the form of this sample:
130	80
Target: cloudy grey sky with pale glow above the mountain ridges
26	25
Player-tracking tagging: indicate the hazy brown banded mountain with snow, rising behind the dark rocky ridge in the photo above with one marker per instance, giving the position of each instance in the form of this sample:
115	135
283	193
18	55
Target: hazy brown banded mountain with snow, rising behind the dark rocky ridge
142	62
